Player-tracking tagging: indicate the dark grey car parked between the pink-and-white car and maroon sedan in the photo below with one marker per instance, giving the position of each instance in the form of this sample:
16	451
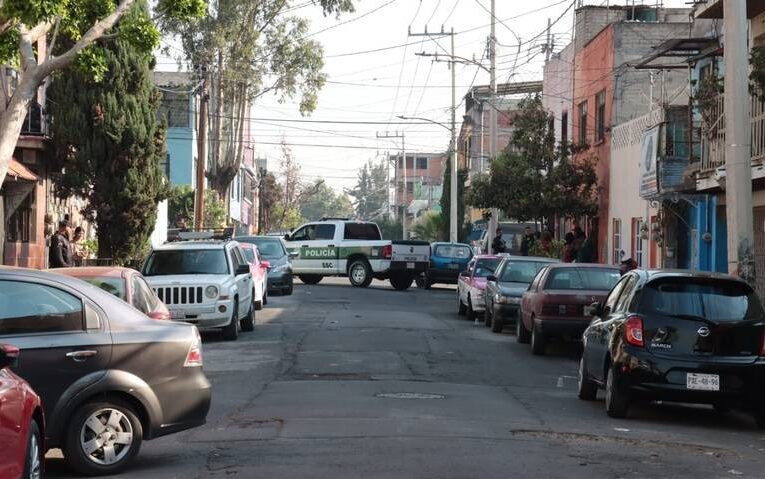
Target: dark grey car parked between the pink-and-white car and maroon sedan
506	286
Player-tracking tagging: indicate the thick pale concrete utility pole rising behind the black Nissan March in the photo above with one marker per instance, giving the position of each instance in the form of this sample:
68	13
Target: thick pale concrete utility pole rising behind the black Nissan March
738	187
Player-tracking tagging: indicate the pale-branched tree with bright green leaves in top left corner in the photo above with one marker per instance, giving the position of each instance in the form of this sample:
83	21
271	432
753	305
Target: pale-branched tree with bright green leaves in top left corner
72	29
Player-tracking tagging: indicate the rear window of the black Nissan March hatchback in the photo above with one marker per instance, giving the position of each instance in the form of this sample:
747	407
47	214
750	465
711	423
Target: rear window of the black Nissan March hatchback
718	300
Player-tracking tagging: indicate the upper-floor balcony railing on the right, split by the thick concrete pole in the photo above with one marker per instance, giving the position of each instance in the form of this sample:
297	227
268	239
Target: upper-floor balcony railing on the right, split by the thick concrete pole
713	134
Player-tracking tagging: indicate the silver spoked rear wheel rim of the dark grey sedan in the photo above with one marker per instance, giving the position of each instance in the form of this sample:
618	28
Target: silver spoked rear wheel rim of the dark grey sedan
107	436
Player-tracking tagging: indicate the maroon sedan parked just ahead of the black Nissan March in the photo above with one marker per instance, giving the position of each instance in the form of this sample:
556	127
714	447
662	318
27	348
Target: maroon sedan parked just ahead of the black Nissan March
558	301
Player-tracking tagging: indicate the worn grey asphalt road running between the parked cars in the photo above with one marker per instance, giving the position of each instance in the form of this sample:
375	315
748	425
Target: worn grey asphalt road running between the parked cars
344	382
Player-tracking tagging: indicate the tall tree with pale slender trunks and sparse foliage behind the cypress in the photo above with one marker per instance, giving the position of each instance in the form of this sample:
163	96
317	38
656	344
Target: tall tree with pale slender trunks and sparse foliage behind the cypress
247	48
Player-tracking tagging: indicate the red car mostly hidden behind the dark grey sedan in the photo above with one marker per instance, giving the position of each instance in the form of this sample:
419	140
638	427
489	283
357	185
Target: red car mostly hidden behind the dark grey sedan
125	283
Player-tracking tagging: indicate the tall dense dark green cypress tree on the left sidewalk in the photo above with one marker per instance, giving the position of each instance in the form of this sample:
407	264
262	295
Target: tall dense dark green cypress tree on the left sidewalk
108	138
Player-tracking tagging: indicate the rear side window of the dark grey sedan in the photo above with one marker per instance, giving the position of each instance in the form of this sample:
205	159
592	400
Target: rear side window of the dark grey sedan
35	308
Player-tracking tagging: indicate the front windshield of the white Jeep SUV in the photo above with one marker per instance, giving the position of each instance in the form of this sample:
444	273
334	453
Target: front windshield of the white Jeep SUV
190	261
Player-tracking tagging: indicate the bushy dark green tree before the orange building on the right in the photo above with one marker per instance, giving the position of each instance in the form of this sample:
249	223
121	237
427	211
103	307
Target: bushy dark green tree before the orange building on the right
535	179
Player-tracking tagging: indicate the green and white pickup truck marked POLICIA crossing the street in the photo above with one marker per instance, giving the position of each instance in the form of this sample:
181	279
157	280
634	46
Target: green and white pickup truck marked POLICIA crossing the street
341	247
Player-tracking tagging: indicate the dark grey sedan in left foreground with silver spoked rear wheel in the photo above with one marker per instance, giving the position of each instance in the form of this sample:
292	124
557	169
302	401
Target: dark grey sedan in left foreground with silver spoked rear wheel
109	376
